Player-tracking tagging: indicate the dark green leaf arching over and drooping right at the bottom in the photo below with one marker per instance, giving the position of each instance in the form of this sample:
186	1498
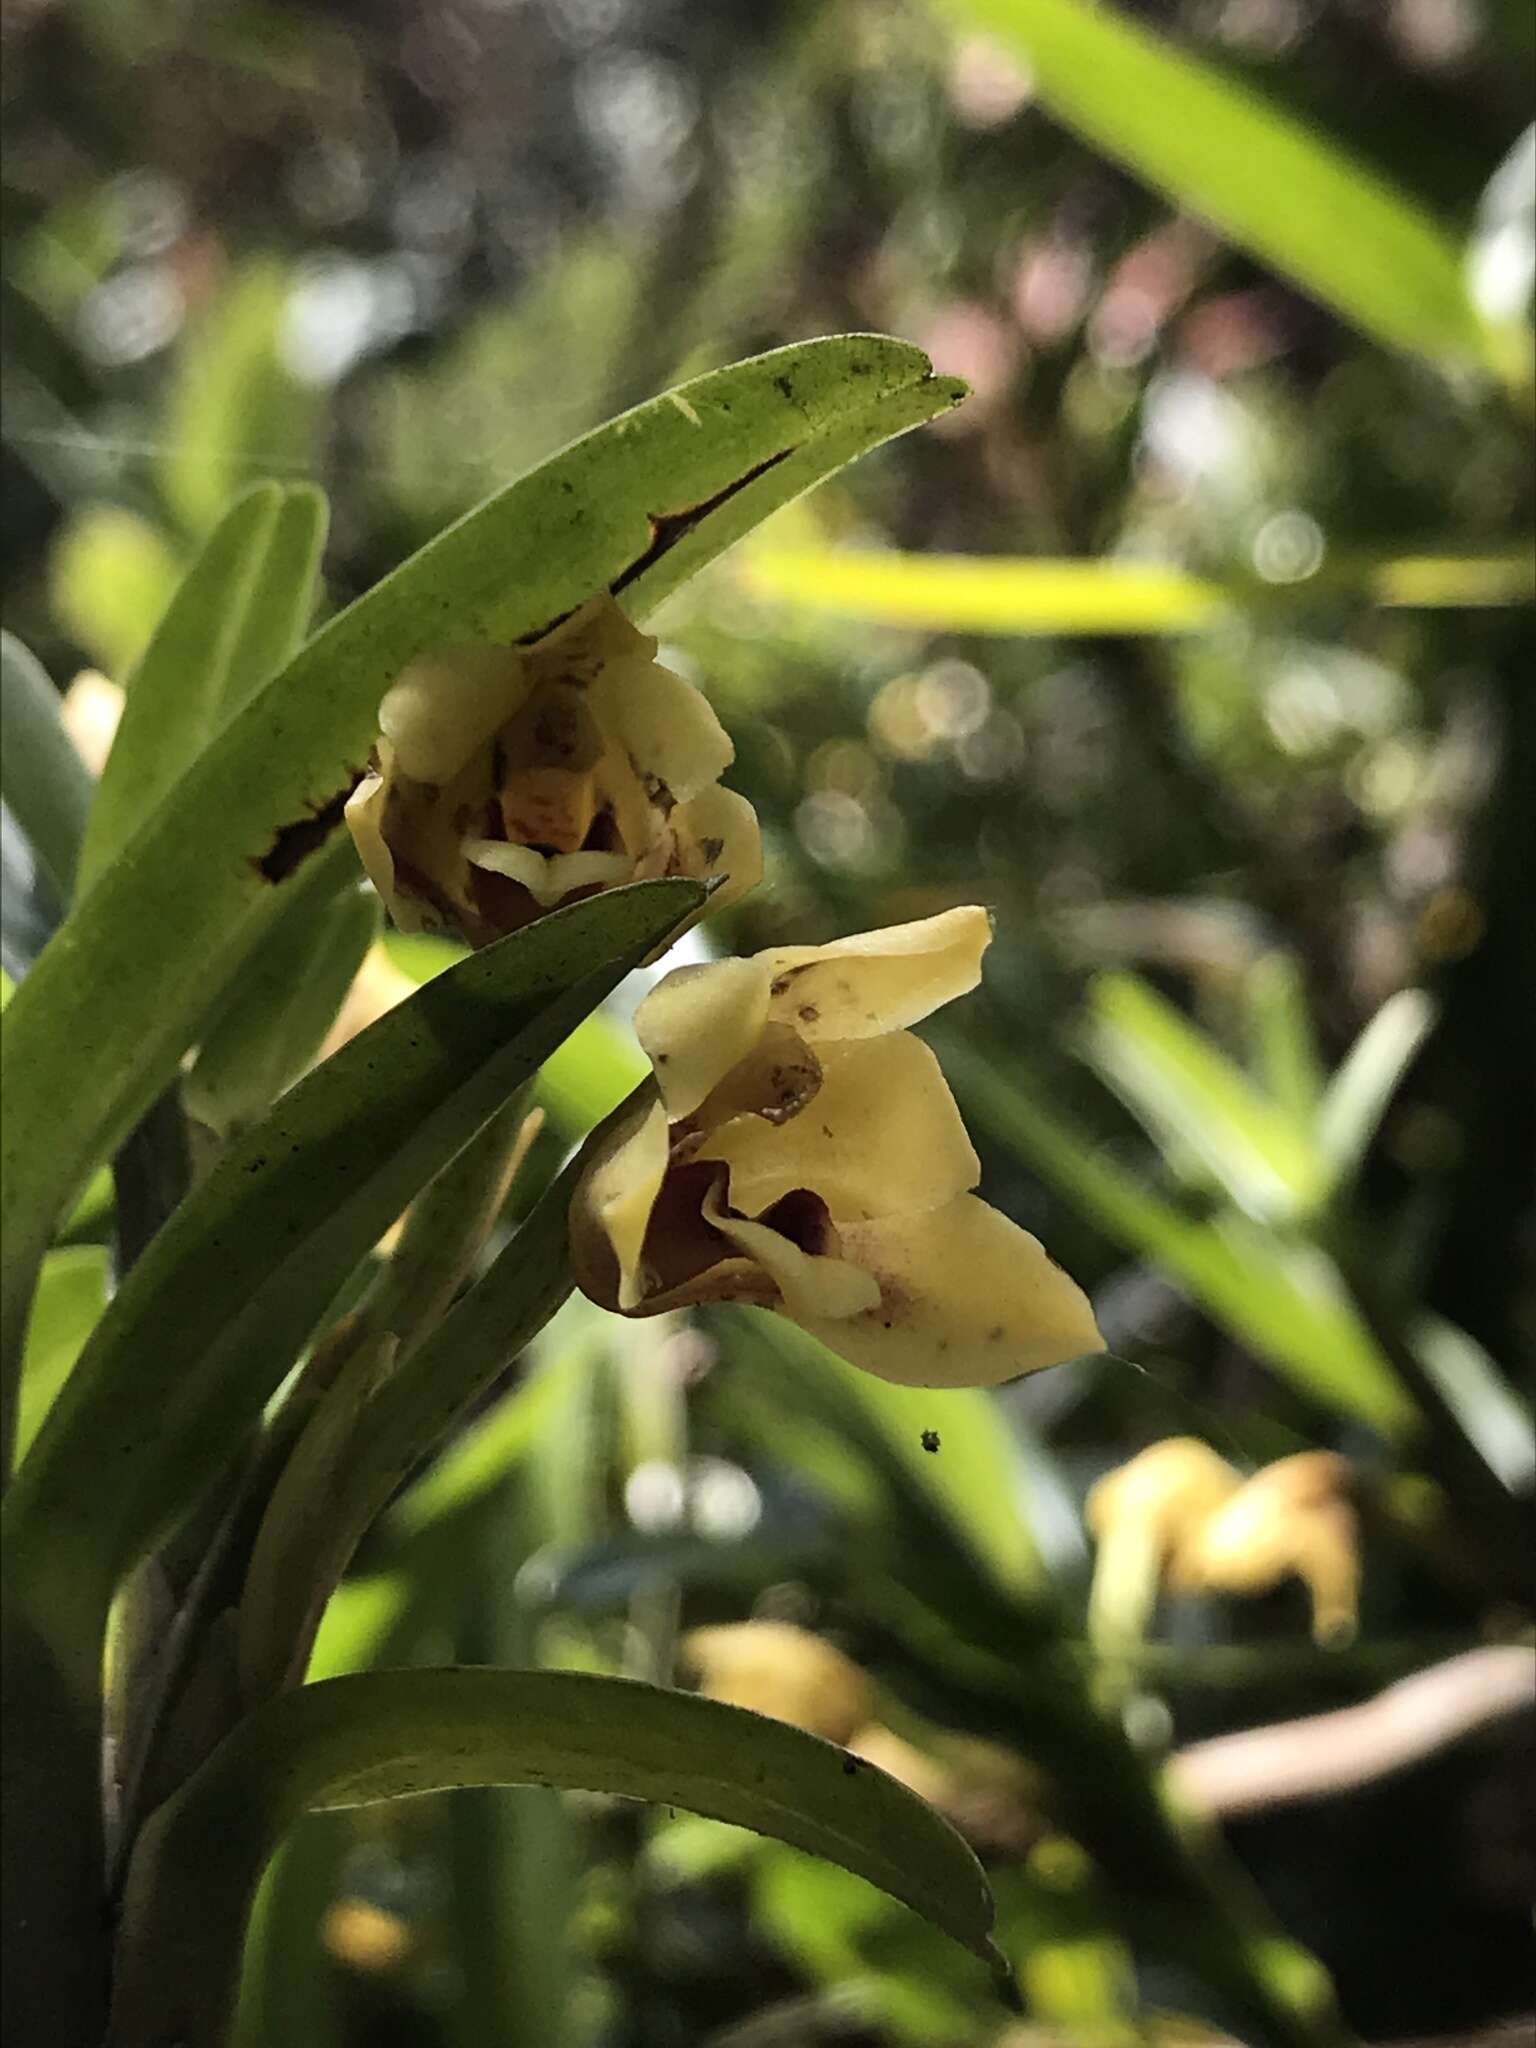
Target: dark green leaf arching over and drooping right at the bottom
351	1742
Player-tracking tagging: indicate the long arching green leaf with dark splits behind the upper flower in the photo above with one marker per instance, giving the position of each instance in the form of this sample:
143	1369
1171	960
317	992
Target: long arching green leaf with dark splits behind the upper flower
636	507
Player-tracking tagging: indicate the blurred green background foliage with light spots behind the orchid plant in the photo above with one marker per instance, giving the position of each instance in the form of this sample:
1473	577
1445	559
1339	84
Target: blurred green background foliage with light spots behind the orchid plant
1234	732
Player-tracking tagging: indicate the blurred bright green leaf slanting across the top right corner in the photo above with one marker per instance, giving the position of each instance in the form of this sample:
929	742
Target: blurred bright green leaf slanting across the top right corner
1271	183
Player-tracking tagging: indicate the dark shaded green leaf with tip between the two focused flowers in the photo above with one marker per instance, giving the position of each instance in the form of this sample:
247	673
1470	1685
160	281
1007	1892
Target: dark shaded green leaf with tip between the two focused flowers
218	1308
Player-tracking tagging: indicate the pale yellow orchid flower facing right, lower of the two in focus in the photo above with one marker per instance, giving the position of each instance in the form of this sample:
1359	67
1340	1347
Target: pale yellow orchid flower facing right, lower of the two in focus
800	1150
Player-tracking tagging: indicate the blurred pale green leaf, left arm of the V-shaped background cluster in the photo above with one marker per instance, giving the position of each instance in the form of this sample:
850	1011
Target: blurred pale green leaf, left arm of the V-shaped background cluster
1199	1101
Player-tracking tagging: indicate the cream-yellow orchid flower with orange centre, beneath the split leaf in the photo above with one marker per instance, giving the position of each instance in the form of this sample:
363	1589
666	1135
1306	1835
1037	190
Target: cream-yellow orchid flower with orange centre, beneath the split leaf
517	779
